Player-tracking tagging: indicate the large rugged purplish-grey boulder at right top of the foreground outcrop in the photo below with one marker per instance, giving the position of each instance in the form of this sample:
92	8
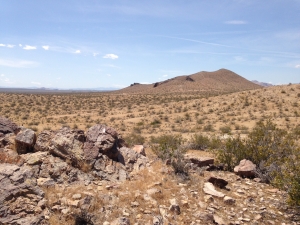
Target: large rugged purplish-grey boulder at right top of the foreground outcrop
101	139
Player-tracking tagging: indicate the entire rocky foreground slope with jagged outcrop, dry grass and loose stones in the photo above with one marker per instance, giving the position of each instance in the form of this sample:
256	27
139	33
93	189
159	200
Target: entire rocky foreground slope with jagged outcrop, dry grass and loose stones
68	176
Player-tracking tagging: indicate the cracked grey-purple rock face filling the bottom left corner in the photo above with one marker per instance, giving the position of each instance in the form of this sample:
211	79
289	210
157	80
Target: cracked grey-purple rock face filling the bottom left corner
20	197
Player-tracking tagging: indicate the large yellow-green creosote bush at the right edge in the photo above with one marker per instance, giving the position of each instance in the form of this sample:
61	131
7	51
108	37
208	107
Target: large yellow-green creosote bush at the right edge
275	152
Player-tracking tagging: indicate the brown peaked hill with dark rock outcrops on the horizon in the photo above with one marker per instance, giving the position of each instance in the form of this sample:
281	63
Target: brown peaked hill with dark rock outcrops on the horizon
220	81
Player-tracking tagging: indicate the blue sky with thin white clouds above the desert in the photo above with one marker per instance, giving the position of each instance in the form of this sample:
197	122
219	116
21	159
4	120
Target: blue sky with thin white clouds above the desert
90	44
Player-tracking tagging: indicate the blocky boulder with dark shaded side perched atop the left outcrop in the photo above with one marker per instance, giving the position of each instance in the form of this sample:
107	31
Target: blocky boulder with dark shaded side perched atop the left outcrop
25	141
